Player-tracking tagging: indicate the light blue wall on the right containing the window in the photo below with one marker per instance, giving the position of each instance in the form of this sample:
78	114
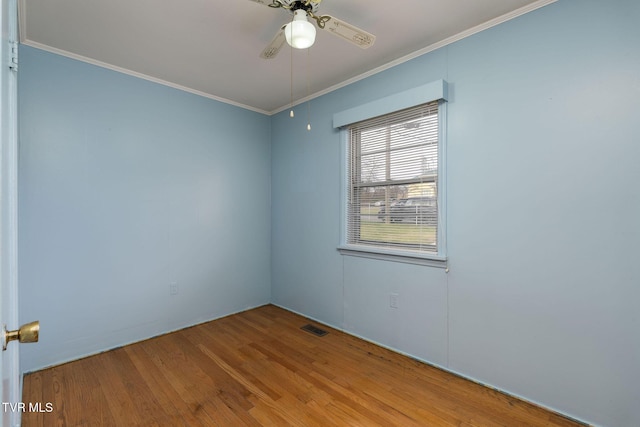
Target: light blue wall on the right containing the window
543	214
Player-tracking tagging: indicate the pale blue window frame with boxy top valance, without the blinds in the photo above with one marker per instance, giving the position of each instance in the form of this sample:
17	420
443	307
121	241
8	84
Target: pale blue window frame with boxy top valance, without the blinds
436	91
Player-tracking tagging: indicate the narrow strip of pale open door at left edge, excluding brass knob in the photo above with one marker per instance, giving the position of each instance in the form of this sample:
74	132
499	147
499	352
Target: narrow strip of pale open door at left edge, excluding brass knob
11	392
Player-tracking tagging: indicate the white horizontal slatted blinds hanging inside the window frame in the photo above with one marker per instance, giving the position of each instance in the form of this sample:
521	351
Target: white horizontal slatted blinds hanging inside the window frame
392	180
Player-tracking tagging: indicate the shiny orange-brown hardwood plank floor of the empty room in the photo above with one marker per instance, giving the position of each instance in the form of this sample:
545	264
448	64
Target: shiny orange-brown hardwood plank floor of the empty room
258	368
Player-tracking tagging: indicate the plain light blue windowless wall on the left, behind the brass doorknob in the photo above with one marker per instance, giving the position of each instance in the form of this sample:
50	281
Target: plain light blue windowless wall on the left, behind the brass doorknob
126	186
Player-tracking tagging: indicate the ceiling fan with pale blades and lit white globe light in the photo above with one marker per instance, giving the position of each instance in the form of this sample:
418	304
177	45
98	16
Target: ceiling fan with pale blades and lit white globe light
300	33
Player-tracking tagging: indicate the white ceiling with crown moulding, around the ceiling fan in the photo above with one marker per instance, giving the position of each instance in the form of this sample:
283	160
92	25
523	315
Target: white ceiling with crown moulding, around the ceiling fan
212	47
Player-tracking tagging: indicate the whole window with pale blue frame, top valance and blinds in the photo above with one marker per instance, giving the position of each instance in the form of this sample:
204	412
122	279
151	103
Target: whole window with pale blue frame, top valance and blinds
393	181
